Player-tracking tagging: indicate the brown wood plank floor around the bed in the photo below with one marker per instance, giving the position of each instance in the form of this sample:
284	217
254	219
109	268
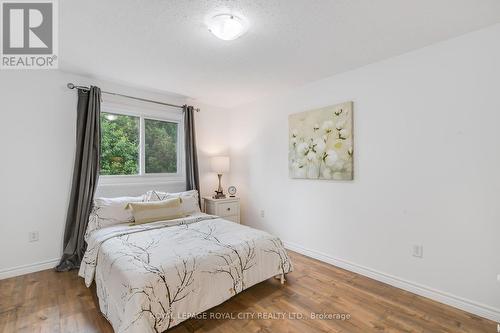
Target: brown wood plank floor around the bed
59	302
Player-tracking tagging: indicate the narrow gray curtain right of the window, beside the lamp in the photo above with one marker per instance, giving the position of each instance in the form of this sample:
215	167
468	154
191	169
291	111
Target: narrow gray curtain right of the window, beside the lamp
192	177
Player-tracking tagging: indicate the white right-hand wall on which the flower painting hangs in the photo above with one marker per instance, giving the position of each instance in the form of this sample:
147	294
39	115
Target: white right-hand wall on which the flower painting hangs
427	161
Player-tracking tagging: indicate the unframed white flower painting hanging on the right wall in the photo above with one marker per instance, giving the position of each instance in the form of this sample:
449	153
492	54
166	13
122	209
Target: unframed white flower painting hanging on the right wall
321	143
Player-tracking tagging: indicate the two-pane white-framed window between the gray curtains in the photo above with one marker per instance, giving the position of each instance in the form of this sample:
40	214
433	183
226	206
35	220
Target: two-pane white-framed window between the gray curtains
138	144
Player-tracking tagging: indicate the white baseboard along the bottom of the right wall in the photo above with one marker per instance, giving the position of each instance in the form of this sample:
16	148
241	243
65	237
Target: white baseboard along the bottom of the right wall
439	296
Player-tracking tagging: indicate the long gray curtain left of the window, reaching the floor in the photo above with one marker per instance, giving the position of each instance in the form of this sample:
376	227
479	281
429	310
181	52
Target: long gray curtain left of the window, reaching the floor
85	177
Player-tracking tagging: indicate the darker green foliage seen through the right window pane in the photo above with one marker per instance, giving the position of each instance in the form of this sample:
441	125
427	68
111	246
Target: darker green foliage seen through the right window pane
160	146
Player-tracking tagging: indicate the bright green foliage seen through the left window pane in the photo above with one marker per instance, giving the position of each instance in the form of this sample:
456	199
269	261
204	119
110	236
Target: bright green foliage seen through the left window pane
119	145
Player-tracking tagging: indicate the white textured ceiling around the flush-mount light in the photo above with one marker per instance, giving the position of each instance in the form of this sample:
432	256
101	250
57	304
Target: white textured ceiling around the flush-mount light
164	44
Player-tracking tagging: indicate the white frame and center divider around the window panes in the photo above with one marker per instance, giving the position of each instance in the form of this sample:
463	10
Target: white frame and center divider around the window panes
166	114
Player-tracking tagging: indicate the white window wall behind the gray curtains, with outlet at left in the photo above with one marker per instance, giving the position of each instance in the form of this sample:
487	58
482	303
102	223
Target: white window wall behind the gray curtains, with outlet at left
37	139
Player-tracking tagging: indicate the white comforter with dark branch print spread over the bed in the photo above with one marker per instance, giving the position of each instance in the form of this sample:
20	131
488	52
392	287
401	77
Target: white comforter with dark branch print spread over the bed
152	277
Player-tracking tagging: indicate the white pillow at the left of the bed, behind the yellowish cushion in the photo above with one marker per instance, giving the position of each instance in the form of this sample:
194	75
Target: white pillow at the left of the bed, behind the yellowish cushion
109	211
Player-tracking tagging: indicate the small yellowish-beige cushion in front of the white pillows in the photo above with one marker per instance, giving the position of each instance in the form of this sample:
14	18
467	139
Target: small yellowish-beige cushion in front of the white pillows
146	212
